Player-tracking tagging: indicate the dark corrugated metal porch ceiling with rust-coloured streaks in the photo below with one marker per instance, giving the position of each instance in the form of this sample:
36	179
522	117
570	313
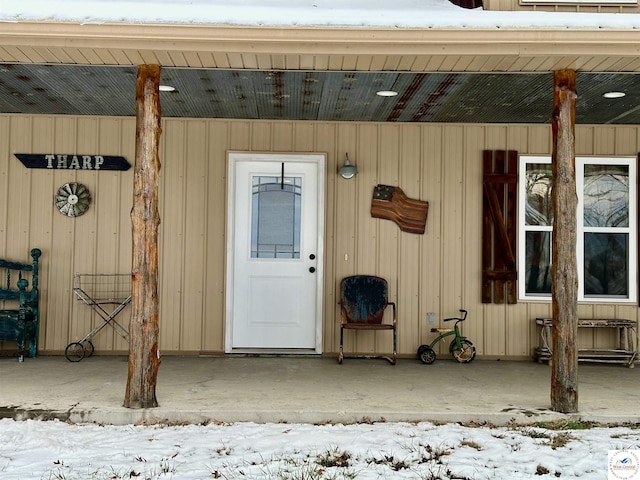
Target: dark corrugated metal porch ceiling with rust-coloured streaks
316	95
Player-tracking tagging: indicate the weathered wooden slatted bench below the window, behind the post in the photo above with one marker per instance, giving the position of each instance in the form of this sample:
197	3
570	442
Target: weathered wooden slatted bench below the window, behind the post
625	353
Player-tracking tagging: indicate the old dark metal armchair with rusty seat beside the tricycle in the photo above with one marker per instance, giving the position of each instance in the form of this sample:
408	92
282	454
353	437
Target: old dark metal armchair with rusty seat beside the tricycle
363	301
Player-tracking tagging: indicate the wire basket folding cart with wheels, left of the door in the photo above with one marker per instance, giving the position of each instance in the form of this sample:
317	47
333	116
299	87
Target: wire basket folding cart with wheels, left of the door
107	295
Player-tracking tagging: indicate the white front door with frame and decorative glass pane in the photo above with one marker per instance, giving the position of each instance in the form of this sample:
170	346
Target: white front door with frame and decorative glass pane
274	252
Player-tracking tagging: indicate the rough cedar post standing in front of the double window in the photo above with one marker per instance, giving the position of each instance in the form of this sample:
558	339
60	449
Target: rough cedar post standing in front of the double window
564	289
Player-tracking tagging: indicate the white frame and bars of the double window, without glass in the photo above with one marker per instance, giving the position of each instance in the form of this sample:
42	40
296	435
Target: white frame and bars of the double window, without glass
631	229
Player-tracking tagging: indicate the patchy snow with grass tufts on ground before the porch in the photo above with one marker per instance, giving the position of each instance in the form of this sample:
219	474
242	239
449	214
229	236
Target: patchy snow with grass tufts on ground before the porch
36	450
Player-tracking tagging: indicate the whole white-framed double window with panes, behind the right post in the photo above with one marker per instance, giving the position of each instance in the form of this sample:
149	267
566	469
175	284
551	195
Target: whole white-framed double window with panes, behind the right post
606	245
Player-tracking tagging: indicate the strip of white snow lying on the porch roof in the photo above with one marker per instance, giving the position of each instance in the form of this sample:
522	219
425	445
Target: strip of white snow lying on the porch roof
302	13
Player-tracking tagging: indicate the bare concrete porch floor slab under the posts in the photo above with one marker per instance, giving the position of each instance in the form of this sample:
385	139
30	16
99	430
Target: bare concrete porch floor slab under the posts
311	390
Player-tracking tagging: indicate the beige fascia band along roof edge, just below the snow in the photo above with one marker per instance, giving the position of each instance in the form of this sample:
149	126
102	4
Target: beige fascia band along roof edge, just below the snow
553	42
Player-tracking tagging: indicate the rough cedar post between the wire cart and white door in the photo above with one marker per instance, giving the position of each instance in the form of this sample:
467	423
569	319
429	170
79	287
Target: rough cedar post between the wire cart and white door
144	355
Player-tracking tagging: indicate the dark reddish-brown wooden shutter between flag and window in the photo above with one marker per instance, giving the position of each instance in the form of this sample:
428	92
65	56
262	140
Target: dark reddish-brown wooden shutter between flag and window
499	198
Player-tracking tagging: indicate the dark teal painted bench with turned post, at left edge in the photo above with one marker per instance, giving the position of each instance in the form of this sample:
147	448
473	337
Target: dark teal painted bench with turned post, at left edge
20	323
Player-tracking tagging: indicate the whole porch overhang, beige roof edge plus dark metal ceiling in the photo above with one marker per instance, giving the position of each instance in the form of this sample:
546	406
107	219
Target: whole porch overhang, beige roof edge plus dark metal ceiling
325	74
